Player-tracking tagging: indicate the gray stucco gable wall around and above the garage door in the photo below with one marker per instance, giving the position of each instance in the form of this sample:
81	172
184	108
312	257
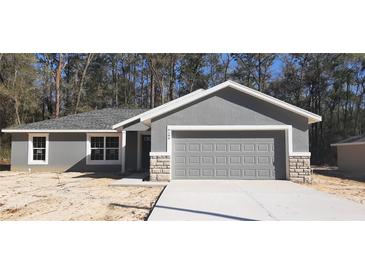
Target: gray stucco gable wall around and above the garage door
230	107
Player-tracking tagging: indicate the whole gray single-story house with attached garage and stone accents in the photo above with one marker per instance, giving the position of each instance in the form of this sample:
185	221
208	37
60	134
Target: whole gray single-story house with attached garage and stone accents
226	132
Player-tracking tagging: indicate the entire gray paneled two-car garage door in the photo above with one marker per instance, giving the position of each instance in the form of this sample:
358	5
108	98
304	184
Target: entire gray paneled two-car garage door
238	155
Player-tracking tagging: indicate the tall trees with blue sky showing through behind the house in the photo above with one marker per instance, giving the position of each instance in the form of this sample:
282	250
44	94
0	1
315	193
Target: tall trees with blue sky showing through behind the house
35	87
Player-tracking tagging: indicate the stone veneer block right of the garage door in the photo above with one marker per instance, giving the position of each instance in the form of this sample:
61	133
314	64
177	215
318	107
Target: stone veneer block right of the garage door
299	169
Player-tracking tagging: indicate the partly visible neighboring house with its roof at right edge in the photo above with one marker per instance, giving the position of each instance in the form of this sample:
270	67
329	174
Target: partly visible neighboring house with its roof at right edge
351	154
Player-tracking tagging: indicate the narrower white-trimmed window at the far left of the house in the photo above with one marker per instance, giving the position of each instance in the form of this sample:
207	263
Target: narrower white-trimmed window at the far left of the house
38	149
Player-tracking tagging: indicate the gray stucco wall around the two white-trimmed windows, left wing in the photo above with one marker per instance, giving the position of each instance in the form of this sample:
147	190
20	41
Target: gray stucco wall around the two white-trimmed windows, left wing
67	152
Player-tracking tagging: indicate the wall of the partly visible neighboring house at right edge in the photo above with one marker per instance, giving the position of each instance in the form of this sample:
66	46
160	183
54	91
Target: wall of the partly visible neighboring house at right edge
351	158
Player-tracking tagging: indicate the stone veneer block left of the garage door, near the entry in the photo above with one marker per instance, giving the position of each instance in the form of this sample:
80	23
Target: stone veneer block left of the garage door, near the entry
160	168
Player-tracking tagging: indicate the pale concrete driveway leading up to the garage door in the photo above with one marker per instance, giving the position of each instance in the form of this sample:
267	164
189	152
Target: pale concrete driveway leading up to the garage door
251	201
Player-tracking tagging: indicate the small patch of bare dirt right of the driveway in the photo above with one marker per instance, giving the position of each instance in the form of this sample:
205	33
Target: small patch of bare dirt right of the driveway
350	186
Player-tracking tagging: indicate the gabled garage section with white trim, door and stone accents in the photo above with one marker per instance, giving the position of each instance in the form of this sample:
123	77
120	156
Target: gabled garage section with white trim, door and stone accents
229	132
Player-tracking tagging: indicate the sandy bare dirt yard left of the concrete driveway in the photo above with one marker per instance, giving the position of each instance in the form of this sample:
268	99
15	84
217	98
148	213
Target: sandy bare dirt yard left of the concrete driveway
71	196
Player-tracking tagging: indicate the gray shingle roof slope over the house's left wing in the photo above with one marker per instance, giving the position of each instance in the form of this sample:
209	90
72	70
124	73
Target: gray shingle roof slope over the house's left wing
97	119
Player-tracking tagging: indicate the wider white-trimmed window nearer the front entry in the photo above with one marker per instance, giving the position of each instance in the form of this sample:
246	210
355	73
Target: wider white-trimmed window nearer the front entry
103	149
